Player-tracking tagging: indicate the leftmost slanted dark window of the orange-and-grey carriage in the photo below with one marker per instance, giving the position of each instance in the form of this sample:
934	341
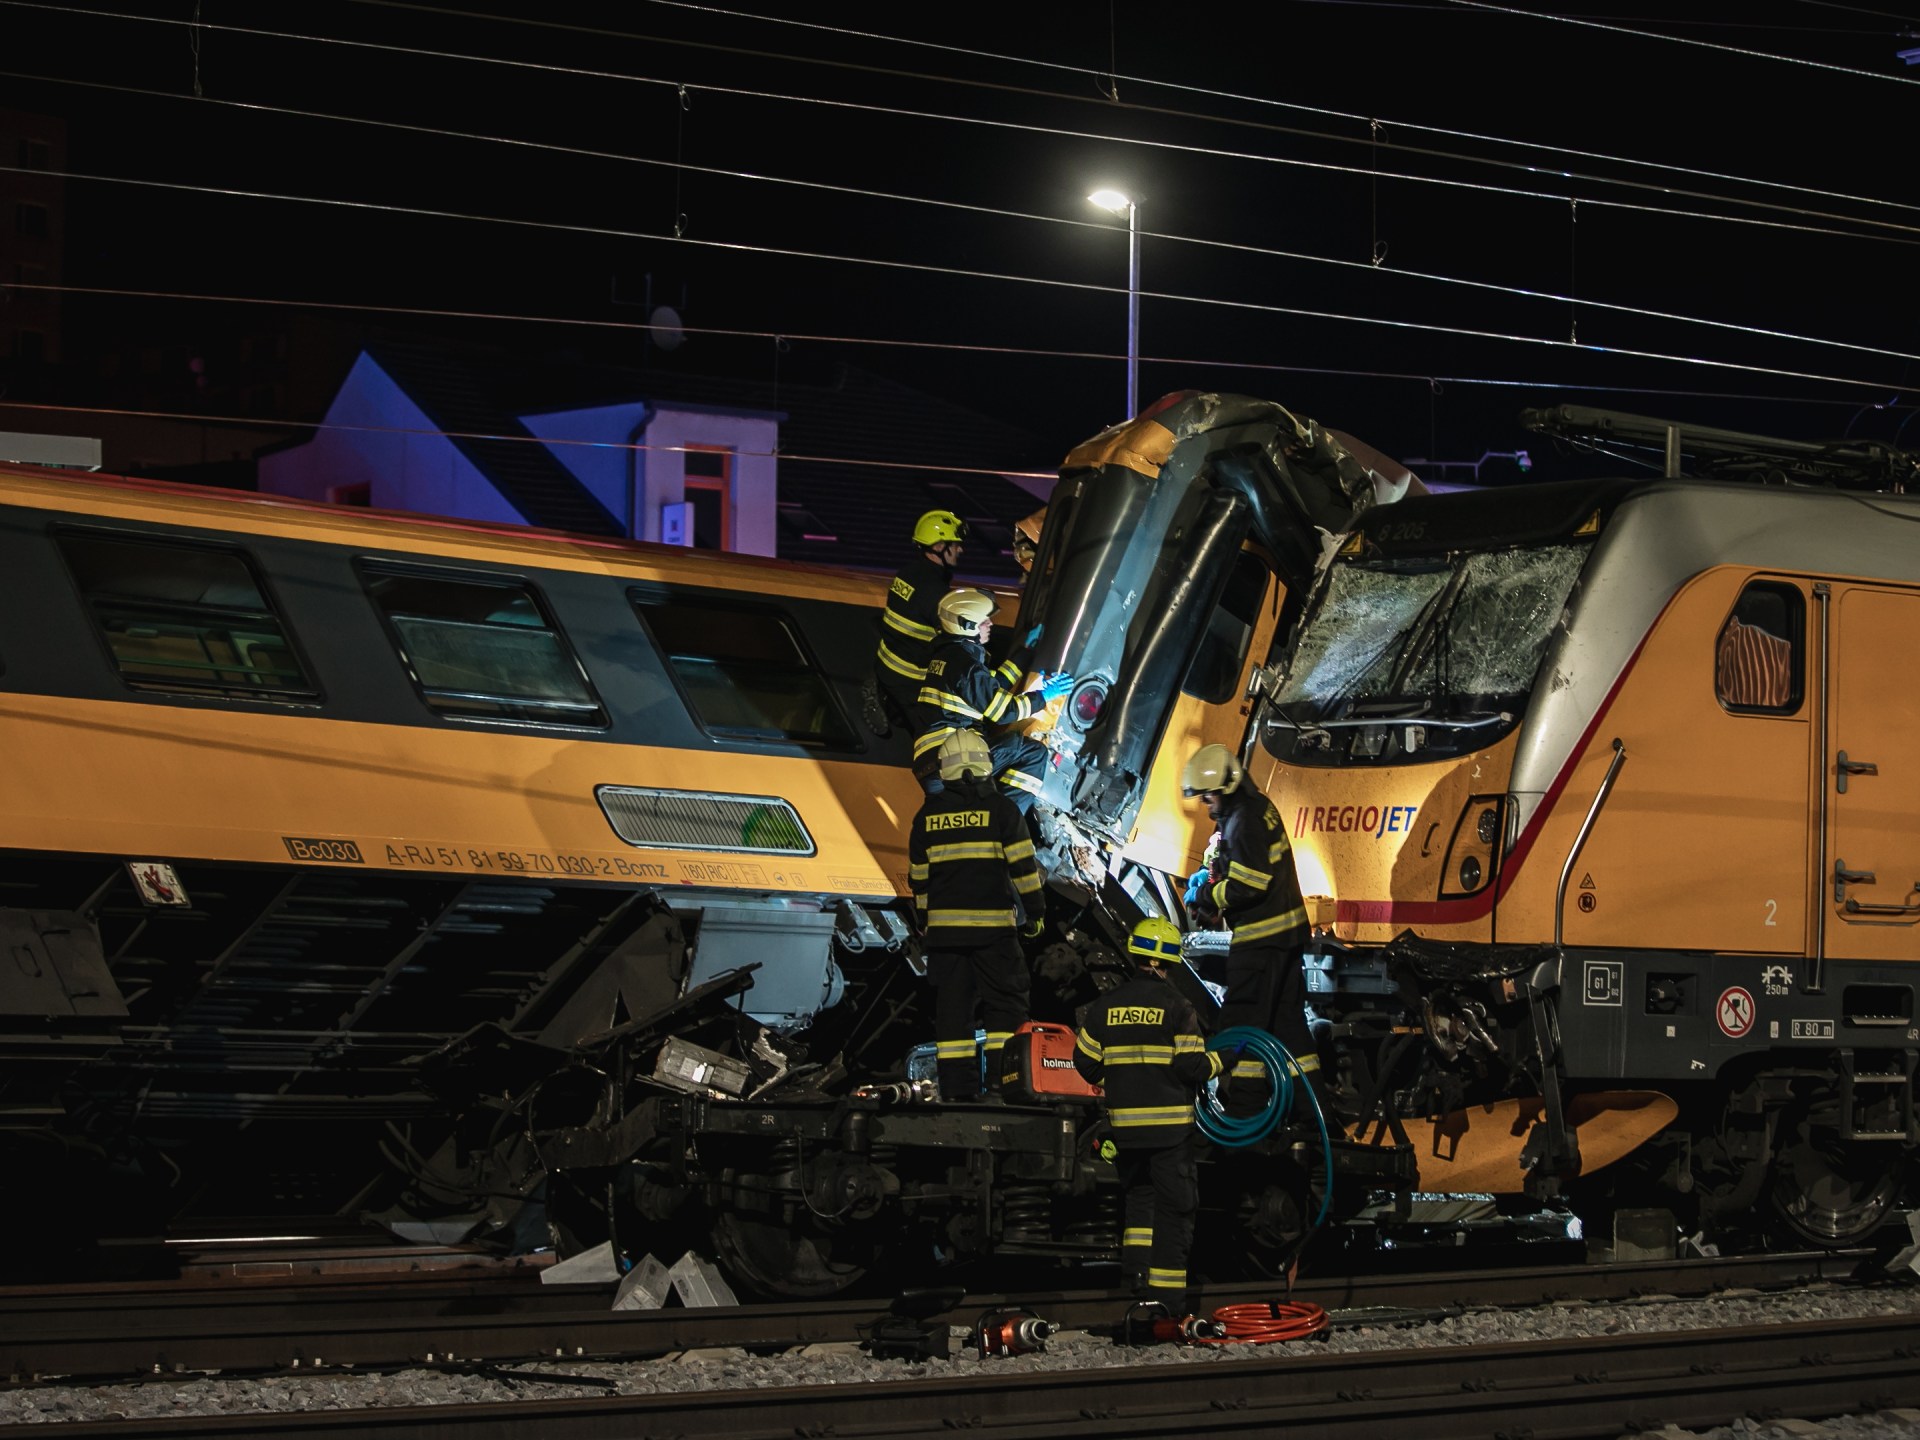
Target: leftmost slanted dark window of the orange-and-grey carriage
185	619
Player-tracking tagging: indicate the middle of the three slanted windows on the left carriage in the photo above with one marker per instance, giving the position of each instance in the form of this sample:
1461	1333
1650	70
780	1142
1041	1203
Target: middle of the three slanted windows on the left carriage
483	648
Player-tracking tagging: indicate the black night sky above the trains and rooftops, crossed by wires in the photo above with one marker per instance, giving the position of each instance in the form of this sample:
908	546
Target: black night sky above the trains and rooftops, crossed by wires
840	187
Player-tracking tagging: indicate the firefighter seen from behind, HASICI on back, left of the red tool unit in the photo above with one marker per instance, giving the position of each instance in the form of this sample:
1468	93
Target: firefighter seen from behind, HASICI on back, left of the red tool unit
972	875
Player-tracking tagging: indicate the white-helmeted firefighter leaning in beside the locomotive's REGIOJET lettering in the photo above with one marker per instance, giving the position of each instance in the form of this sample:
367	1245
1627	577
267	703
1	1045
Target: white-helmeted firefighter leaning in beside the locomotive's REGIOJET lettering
1257	894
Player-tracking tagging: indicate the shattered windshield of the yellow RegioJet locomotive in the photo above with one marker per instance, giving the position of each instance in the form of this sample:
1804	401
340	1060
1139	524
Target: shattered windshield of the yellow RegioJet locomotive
1429	636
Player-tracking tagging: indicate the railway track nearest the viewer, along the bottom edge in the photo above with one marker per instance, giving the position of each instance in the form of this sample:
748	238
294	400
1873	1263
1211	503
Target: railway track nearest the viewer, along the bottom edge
1604	1387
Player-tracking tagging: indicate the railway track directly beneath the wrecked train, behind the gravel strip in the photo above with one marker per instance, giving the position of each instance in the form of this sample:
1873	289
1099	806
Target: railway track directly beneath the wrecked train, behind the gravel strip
110	1333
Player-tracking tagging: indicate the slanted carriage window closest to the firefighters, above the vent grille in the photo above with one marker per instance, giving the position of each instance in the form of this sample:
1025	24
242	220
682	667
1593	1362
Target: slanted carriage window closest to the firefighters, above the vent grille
746	673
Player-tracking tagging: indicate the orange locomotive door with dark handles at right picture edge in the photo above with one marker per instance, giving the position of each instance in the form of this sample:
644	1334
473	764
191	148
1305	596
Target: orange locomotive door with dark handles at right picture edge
1871	892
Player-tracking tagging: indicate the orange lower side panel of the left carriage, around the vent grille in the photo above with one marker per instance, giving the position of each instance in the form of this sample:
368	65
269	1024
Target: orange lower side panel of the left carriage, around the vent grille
132	780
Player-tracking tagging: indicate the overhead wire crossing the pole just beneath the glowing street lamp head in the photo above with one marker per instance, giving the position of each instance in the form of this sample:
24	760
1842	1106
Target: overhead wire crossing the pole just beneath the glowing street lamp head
1234	247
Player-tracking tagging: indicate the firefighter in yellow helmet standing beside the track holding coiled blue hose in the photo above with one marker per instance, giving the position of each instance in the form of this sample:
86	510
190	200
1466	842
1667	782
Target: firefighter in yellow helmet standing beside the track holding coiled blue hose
1143	1044
